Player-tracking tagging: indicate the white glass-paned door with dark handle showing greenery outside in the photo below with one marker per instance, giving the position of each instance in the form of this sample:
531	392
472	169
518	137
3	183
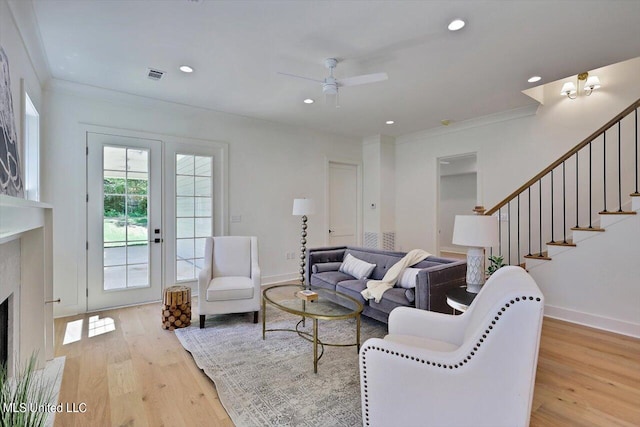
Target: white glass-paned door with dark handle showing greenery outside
124	220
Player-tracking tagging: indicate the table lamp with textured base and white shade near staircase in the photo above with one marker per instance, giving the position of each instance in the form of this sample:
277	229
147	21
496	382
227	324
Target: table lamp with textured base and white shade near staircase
477	232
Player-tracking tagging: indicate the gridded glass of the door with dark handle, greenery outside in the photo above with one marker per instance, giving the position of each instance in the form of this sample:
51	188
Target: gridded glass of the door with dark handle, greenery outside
125	218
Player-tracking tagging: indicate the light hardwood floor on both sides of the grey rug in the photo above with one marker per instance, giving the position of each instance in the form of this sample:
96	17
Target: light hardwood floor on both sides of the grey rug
139	375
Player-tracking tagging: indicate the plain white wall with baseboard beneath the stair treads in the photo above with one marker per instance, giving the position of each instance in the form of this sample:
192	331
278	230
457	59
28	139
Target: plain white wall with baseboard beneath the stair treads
596	283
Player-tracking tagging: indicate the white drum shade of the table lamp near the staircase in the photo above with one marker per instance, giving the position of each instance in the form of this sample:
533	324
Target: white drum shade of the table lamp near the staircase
479	231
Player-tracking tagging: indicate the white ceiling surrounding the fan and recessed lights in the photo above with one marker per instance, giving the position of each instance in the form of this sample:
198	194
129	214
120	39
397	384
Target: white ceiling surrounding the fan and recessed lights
237	48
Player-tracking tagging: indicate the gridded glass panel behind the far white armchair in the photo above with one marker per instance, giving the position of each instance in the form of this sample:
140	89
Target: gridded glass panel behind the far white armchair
194	212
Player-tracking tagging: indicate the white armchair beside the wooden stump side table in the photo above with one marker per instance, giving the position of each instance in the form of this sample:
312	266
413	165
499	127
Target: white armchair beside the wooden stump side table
230	278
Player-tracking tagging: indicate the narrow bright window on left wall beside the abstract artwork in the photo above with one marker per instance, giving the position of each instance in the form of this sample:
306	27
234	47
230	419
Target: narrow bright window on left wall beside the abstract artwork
32	150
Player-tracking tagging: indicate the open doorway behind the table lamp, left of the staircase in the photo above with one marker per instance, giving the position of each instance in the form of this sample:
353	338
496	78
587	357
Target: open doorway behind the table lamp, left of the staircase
457	195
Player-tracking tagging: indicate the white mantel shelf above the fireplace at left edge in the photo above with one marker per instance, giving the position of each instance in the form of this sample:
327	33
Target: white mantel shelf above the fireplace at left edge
19	215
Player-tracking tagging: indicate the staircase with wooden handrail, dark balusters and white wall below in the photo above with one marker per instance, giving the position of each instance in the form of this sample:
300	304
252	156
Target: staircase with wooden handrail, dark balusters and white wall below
575	227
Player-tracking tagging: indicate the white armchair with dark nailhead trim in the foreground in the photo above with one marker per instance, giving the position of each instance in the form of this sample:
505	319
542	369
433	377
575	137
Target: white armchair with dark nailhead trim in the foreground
475	369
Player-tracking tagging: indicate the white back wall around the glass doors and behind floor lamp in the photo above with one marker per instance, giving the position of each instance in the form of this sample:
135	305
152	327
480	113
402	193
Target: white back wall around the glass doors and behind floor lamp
269	165
